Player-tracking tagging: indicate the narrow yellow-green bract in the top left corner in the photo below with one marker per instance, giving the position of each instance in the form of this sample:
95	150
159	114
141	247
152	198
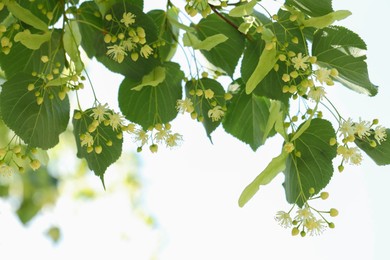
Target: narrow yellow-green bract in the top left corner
26	16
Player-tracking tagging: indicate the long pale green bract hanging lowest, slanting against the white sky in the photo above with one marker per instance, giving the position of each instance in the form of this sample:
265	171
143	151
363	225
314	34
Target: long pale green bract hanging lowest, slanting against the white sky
277	165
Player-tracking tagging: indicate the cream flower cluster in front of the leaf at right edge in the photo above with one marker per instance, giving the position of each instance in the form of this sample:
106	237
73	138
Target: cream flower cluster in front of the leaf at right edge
362	130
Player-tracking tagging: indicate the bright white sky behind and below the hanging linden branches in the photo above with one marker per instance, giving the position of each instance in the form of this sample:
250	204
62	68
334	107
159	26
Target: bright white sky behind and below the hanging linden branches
192	192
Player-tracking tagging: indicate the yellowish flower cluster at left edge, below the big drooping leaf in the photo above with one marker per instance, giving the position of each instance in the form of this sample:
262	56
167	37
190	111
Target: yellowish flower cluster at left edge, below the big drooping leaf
15	157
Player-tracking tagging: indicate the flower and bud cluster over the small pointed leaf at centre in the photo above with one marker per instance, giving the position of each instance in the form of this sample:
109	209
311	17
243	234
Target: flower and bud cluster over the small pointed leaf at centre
215	113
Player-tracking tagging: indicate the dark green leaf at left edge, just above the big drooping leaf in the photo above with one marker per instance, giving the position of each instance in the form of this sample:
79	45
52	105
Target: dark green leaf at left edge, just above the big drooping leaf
22	59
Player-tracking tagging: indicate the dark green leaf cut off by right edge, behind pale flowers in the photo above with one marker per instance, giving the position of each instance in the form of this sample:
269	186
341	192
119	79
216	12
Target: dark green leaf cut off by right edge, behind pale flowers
381	153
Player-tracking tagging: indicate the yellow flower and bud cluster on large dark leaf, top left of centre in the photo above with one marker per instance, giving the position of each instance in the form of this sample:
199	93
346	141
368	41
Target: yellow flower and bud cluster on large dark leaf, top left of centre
128	38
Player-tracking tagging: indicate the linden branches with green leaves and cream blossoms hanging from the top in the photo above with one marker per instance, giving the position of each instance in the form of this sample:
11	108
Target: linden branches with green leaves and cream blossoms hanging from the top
255	72
